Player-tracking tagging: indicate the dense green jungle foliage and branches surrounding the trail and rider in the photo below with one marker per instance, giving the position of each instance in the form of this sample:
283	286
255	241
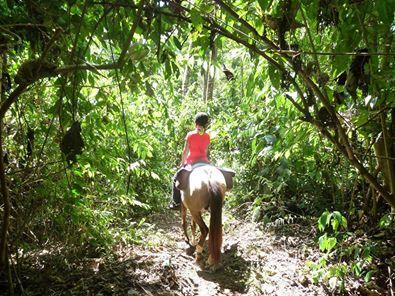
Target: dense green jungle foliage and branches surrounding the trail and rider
97	97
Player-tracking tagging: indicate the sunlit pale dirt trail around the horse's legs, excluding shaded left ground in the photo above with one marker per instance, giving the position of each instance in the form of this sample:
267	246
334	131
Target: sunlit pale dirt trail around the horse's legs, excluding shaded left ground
256	262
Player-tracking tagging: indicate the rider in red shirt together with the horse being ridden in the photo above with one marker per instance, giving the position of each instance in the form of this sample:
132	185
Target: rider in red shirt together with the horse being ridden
199	186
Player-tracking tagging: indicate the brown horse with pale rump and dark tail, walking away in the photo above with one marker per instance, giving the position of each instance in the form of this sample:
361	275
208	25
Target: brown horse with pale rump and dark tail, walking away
203	187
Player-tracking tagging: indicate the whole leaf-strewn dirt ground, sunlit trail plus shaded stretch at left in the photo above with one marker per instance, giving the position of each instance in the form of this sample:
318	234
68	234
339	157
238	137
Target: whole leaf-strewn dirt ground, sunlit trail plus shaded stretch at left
255	262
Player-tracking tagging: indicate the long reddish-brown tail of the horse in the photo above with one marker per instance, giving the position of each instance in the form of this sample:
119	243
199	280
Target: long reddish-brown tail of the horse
215	234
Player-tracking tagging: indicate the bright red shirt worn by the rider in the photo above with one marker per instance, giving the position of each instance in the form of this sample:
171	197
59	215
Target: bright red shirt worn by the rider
197	145
